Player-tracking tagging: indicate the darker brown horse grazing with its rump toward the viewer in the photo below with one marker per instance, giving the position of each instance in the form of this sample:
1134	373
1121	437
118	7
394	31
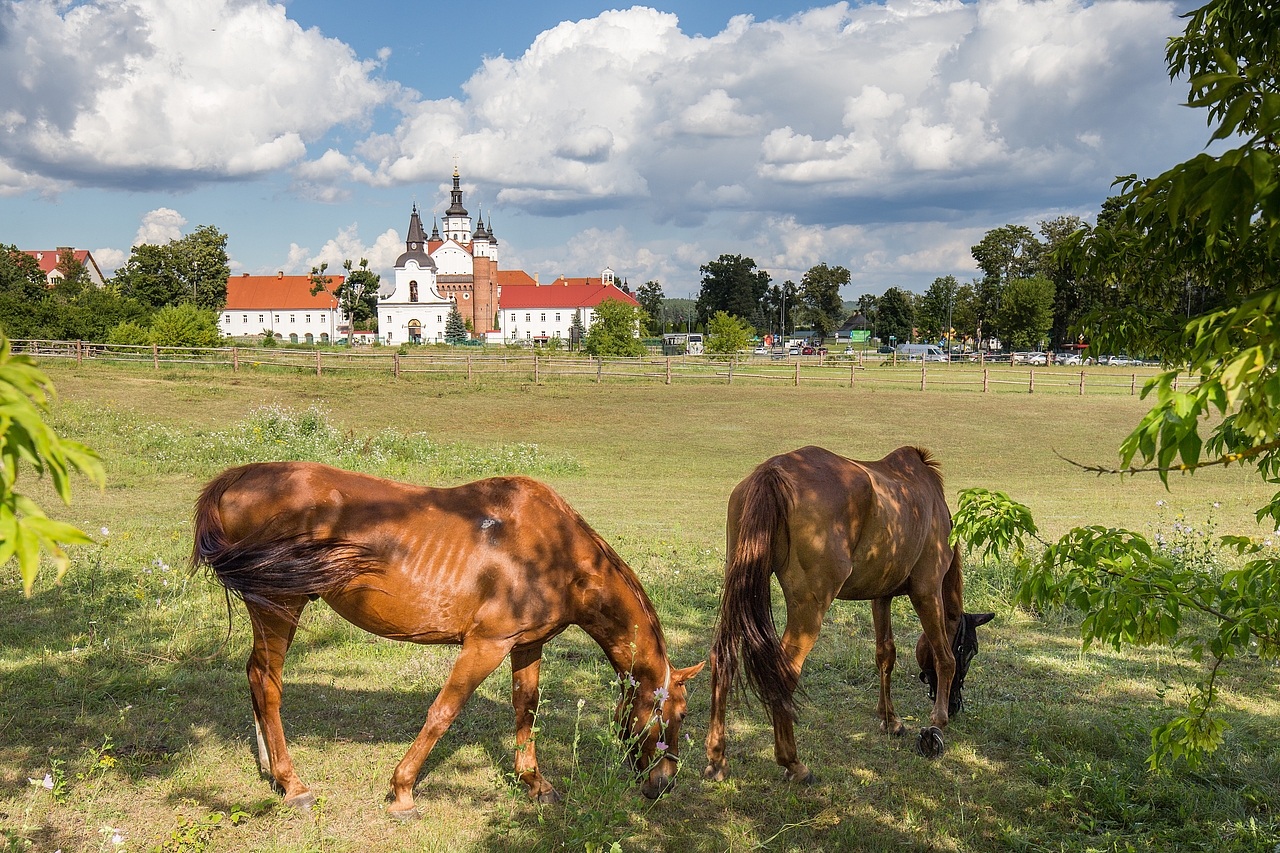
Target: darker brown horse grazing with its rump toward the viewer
833	528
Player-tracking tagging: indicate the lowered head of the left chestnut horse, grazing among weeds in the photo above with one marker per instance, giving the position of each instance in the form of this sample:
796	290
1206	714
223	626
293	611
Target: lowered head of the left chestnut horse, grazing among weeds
656	714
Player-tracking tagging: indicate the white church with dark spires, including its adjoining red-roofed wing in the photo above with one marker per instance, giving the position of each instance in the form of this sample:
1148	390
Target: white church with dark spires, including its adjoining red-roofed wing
459	266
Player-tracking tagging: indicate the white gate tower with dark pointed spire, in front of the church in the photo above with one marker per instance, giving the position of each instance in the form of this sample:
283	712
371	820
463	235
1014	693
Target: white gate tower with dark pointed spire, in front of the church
413	311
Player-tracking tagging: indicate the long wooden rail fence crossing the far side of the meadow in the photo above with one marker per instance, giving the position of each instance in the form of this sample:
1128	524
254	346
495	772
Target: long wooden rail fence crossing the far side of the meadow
541	368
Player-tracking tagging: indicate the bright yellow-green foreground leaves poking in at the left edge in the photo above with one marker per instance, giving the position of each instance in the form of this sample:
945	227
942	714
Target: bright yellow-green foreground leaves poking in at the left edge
26	441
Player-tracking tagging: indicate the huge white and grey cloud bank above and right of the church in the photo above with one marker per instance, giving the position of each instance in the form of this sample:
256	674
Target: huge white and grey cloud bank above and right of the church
908	101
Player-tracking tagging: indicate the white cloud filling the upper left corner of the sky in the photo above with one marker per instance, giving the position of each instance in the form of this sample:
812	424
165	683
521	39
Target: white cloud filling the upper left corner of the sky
145	94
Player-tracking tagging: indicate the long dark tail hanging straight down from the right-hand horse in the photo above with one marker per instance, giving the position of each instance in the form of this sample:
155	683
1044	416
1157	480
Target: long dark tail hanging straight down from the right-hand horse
746	622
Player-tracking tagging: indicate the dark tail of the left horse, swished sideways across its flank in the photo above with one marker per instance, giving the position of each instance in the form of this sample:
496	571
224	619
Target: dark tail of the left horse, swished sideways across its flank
266	568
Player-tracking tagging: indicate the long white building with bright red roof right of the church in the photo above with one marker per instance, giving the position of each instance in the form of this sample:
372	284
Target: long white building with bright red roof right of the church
540	313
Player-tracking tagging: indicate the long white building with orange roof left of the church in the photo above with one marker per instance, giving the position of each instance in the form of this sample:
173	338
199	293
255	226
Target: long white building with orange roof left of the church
284	307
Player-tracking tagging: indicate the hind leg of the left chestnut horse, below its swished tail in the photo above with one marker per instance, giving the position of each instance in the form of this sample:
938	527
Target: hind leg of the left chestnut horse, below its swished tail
273	635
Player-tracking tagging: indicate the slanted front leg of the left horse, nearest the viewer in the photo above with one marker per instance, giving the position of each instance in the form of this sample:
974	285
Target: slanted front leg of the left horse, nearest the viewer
479	658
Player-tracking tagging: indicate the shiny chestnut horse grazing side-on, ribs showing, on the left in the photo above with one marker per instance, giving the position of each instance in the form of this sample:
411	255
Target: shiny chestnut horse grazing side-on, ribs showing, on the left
499	567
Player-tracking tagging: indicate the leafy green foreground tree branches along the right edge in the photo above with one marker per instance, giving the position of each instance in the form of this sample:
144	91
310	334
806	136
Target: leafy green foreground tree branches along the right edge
1214	221
